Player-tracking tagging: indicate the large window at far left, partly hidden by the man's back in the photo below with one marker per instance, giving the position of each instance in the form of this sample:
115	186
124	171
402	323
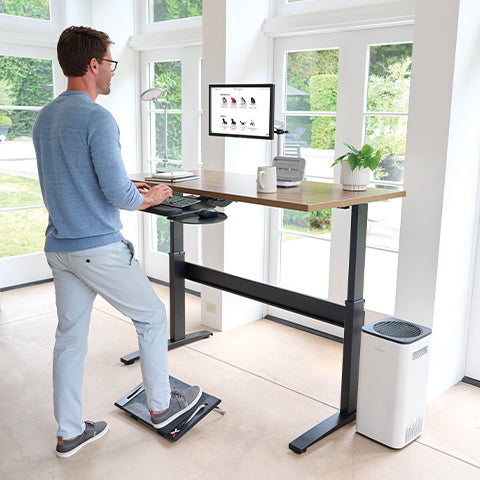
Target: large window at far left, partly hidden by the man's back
26	84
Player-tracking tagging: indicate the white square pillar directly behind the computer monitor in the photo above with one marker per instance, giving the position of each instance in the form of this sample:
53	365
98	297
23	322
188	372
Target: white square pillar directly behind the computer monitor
234	51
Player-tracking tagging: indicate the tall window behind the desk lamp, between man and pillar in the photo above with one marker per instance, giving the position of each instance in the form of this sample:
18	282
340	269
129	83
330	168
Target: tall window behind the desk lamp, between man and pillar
177	72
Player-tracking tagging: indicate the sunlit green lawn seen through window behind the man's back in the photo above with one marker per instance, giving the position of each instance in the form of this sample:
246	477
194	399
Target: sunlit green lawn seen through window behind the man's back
21	231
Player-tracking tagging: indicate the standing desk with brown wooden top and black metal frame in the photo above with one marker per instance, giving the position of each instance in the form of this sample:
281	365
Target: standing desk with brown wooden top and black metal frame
307	197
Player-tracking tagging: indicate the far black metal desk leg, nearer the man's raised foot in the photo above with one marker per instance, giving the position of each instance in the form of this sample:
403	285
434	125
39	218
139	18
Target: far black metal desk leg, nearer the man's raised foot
177	297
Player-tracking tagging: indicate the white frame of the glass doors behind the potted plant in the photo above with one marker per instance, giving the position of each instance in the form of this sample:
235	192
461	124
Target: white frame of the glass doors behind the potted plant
351	94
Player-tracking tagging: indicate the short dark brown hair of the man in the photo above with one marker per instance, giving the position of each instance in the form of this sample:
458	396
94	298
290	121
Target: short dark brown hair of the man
77	46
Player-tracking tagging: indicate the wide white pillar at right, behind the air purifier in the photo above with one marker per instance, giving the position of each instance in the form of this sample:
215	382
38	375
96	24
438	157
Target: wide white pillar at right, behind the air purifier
439	217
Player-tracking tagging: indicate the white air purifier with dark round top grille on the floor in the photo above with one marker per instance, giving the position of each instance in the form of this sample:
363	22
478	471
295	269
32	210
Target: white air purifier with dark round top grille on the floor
392	382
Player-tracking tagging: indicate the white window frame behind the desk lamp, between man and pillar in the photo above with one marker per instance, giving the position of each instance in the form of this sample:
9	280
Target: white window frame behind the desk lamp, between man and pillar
156	263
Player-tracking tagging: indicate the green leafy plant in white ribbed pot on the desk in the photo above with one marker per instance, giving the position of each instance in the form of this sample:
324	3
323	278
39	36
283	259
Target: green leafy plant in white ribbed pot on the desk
356	166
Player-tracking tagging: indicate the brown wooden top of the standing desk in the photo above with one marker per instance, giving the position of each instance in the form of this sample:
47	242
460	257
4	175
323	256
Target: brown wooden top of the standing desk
307	197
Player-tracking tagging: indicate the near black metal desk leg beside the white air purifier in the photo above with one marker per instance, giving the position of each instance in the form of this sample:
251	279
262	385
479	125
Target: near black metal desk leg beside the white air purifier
354	319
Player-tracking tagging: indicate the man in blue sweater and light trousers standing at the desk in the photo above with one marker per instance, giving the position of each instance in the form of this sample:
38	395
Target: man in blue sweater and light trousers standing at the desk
84	184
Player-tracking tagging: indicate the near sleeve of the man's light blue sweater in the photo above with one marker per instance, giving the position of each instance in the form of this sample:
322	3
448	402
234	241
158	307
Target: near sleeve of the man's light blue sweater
103	140
